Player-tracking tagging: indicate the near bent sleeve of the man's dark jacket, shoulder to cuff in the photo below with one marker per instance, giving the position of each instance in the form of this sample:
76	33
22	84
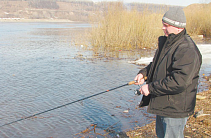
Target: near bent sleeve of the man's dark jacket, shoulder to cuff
185	66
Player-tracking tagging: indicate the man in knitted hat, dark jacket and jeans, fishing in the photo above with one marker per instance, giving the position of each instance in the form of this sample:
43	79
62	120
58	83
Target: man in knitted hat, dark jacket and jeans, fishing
172	77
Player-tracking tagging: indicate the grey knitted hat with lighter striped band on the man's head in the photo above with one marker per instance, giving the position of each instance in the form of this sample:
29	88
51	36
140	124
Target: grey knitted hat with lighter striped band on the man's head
175	17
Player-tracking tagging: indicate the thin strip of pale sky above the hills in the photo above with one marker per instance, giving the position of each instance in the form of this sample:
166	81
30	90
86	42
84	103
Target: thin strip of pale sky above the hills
167	2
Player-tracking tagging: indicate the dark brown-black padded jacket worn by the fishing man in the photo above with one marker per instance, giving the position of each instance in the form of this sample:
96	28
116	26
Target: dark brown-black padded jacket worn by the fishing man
172	77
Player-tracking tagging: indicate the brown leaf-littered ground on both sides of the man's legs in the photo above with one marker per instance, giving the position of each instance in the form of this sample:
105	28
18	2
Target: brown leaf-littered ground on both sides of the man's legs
198	125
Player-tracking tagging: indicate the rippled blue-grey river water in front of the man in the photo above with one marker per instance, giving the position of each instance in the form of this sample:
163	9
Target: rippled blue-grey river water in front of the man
41	68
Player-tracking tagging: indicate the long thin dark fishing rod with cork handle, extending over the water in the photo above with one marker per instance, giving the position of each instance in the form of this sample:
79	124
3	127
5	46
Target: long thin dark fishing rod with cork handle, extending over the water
129	83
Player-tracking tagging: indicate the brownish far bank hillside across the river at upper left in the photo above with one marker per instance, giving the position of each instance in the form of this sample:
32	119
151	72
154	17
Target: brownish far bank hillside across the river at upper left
48	9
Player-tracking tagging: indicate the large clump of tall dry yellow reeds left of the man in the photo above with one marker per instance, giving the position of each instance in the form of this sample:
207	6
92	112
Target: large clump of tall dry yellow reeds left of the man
121	29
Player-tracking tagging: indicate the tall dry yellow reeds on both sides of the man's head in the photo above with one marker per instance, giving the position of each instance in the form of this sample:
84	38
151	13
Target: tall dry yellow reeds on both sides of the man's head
120	28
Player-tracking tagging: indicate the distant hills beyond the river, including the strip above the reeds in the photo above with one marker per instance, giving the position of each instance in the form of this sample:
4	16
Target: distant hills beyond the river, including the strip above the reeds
74	10
